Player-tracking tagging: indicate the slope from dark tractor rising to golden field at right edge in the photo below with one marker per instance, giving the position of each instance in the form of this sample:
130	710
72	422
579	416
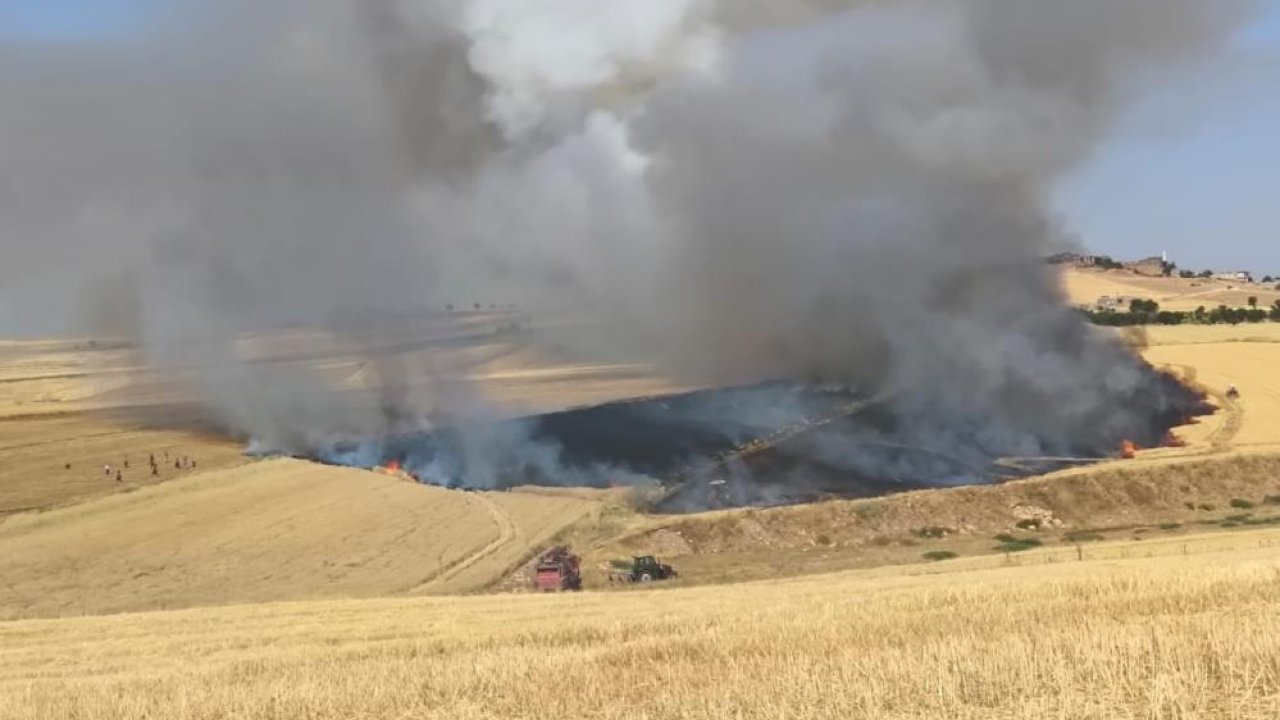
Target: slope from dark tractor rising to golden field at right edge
1231	455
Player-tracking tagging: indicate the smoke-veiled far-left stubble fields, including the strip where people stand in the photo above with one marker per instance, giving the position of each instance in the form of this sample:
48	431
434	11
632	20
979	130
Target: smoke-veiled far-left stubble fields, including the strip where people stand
90	404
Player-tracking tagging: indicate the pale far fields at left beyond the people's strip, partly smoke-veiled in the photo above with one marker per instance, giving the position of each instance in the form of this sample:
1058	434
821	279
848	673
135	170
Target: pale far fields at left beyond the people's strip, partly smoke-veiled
519	372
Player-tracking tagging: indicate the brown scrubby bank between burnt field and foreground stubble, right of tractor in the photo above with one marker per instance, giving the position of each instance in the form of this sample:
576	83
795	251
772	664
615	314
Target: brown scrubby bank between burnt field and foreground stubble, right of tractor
1119	499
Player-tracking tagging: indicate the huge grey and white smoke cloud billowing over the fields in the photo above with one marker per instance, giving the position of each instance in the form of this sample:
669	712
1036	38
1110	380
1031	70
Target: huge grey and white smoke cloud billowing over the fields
851	192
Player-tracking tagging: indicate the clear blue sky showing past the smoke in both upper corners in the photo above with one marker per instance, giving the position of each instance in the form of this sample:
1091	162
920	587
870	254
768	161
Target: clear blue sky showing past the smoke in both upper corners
1194	170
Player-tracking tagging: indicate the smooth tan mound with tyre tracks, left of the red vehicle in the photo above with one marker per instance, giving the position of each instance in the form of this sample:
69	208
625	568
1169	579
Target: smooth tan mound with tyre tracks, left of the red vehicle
280	530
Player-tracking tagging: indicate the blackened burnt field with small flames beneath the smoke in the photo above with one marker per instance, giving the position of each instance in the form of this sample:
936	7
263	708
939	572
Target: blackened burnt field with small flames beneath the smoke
767	444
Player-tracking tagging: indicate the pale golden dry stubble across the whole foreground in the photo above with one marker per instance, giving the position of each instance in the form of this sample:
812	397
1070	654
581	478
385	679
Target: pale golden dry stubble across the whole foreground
1177	636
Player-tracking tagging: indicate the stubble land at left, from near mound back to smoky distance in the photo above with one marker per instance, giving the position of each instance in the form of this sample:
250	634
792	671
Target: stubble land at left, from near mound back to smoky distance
74	540
